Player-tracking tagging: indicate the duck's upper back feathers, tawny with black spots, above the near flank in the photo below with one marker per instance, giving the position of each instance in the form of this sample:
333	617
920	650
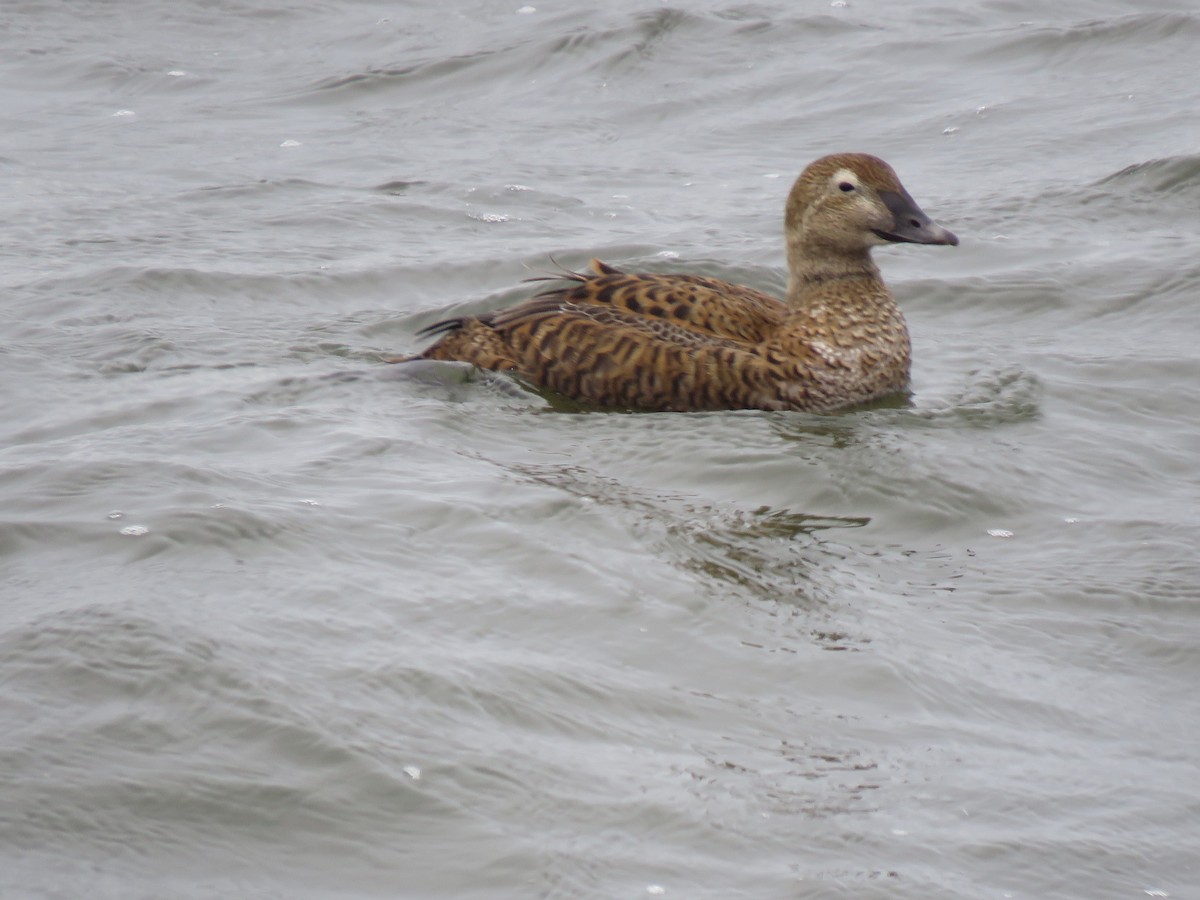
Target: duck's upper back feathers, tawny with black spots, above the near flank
693	303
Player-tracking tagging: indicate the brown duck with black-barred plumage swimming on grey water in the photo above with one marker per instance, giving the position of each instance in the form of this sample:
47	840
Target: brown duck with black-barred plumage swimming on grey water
679	343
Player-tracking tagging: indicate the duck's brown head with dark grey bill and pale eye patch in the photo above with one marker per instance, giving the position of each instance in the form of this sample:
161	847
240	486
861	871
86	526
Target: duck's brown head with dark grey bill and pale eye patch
848	203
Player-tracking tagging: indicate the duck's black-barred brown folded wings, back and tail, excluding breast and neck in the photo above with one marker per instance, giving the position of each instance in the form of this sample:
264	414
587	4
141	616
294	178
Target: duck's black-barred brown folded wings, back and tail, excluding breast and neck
637	341
